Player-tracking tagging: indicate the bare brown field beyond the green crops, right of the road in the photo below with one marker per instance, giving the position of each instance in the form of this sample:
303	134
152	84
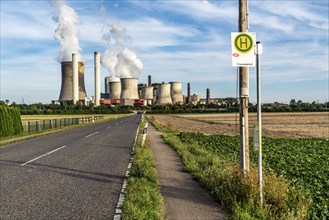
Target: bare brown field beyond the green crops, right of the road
290	125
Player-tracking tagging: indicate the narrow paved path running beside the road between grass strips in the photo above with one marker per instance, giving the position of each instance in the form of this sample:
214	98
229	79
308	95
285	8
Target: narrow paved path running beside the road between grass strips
183	197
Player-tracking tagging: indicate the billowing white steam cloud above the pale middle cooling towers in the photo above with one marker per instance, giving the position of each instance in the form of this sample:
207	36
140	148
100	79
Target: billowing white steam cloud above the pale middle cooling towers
120	61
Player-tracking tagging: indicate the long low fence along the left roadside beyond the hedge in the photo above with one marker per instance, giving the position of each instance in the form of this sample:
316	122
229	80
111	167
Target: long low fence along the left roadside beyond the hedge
42	125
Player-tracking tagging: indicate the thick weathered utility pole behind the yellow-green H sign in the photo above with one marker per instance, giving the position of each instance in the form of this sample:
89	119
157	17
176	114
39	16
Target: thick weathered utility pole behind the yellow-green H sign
244	95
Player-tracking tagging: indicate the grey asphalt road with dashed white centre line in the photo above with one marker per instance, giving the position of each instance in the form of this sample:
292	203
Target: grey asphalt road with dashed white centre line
76	174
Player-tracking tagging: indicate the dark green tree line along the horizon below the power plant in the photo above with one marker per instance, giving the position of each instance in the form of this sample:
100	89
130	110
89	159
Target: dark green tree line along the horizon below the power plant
222	105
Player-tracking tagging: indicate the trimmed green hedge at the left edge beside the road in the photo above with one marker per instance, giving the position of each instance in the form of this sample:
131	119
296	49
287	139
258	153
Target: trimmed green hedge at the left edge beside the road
10	121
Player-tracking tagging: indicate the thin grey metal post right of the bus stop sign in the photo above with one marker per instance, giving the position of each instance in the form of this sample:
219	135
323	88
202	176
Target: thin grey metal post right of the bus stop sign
258	129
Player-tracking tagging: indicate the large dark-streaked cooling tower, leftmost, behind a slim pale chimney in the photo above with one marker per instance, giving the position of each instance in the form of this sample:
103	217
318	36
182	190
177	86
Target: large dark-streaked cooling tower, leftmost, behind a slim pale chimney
66	94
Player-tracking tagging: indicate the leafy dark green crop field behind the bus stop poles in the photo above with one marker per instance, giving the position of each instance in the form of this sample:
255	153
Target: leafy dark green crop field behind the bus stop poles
304	162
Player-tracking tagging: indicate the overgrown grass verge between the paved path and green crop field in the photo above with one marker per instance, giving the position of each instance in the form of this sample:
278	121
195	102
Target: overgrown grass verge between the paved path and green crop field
235	191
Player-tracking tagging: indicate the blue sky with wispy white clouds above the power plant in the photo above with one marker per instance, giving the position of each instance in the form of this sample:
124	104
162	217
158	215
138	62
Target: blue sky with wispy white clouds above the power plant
186	41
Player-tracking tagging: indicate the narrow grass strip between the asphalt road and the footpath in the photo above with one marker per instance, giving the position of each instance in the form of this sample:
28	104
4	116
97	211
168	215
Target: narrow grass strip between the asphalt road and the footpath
143	199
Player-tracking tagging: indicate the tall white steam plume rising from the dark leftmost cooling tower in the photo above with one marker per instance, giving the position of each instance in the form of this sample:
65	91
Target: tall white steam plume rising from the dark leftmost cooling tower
67	31
